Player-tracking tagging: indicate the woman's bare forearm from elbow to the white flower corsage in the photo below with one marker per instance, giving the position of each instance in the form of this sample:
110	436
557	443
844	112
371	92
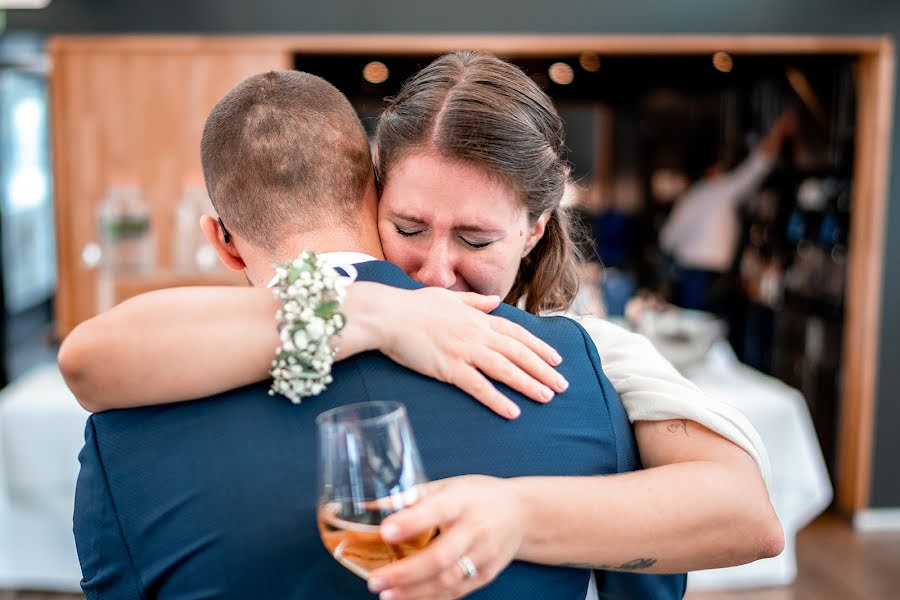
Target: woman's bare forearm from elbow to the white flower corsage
169	345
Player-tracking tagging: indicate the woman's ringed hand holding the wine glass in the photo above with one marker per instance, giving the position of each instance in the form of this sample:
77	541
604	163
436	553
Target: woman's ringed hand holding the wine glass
479	518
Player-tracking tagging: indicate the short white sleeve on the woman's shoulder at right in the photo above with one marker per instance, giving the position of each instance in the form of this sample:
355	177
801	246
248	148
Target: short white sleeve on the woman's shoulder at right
652	389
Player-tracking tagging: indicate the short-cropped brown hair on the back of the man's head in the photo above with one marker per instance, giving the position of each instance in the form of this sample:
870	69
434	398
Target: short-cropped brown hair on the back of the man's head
284	152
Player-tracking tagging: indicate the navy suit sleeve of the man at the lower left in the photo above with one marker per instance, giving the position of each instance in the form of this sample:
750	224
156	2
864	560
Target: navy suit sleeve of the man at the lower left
107	569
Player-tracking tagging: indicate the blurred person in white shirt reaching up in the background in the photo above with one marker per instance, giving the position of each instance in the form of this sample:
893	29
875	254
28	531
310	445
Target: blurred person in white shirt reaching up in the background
701	233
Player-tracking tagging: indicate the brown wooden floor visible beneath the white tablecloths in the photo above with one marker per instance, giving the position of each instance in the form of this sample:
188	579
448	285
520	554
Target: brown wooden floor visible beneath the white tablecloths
834	563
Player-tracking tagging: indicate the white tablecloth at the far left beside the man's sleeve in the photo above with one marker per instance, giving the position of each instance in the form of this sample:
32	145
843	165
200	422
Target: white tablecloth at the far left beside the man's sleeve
41	433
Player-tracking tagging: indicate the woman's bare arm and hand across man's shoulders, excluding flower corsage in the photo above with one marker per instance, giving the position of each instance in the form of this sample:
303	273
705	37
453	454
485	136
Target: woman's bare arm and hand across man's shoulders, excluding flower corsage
186	343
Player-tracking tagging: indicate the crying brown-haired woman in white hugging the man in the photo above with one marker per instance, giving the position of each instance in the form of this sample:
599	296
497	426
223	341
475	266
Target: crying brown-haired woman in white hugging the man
470	157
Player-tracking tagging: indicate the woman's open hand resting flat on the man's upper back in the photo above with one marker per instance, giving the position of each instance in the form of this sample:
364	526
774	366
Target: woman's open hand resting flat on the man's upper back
448	336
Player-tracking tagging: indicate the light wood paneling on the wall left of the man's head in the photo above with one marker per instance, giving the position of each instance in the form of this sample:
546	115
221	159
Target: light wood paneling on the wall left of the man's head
135	117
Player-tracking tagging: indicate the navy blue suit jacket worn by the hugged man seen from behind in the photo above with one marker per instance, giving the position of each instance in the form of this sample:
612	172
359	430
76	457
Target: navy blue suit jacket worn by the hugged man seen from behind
216	498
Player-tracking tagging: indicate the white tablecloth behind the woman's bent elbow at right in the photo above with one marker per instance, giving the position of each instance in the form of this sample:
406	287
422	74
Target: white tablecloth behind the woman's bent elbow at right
800	488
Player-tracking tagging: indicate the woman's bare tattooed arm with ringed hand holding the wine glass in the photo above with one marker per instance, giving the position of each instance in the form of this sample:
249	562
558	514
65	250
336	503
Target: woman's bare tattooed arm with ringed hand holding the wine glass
700	504
